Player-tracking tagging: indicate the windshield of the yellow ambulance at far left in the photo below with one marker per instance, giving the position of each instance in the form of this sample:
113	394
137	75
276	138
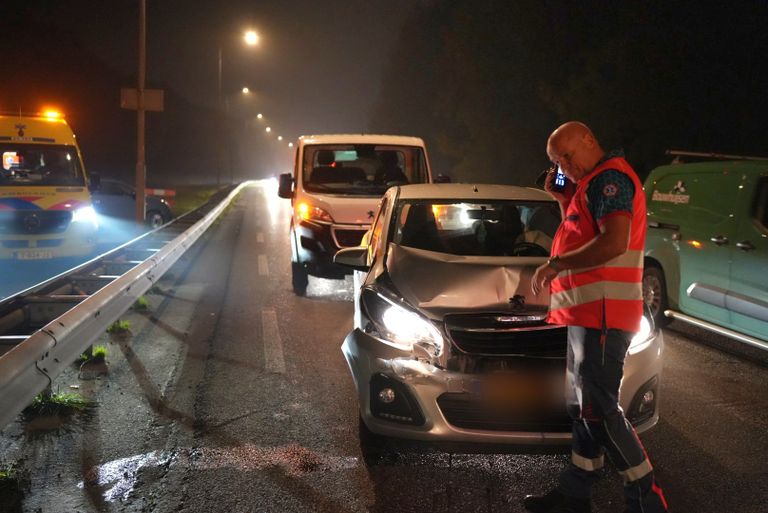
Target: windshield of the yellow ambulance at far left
27	164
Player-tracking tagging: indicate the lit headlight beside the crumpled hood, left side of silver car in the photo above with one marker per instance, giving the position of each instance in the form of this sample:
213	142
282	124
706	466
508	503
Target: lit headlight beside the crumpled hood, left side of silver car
400	326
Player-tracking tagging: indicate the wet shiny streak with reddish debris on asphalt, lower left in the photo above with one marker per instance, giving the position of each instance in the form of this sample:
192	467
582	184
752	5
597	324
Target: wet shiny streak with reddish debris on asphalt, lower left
121	475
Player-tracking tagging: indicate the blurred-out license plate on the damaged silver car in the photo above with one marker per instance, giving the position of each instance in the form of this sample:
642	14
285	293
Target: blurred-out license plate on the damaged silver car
526	391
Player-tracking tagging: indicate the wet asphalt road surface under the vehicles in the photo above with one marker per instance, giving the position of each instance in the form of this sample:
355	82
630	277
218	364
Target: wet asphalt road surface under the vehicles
231	395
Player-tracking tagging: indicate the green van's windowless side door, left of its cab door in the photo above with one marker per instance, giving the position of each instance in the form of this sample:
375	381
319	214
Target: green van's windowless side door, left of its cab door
706	237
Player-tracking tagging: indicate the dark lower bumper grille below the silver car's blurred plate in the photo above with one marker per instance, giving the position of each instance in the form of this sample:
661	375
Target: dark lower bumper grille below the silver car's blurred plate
463	410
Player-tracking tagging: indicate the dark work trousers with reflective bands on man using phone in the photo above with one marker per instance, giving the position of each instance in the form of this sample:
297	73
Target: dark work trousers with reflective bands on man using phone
595	369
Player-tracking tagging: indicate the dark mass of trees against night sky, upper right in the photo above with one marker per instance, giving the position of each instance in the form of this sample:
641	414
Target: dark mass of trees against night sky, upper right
485	82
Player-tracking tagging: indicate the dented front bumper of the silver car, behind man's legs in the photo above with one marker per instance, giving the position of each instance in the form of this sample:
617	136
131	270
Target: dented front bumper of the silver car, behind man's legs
432	404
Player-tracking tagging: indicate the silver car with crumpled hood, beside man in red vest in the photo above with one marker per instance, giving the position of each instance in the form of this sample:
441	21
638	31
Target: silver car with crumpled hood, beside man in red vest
449	343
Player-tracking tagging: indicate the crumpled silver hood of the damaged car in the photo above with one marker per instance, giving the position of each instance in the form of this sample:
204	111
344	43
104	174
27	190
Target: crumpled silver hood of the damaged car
439	283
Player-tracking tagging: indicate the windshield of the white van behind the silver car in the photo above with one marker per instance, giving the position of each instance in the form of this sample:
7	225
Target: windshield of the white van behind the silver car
361	169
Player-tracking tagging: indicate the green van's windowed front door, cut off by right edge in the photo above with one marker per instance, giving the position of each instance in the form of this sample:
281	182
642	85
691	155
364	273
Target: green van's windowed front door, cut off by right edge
748	300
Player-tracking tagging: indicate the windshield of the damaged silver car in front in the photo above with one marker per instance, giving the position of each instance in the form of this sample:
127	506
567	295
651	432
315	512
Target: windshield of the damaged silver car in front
477	228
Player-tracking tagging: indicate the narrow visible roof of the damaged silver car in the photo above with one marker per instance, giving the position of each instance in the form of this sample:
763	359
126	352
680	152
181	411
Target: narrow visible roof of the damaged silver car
464	191
